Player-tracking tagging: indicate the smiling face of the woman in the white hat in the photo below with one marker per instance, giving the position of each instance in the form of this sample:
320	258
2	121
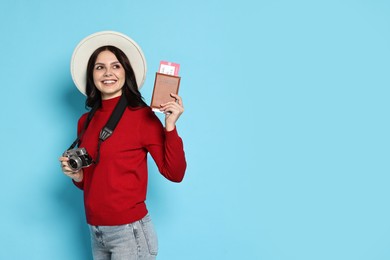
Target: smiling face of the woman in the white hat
108	75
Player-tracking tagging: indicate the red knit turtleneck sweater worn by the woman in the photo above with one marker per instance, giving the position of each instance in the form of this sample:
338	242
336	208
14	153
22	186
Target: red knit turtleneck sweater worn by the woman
115	188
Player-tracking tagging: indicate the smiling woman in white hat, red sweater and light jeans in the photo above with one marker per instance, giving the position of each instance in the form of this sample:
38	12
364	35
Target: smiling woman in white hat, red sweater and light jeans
115	185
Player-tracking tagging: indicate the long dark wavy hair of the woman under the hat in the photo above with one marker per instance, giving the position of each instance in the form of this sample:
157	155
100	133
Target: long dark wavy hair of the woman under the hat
130	88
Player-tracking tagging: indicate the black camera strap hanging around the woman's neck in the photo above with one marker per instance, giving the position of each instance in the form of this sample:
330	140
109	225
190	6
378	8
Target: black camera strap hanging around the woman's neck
110	126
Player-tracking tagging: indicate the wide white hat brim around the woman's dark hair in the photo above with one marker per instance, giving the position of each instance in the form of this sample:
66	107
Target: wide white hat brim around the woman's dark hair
88	45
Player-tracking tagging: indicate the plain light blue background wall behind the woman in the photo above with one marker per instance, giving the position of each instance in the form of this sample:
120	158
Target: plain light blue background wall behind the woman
286	126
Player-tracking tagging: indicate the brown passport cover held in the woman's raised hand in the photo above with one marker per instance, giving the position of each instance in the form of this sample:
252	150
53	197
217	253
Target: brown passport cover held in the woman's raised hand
164	85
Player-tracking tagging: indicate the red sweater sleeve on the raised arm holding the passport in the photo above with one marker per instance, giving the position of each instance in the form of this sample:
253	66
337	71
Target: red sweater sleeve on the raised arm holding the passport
165	147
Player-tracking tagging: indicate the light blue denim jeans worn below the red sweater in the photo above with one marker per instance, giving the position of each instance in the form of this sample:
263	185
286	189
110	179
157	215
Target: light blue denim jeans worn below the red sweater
134	241
